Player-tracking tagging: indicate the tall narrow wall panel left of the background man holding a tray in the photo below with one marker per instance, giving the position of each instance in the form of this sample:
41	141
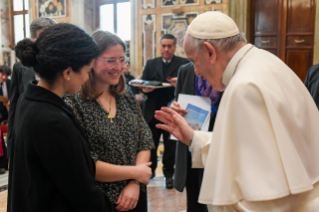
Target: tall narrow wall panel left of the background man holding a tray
148	37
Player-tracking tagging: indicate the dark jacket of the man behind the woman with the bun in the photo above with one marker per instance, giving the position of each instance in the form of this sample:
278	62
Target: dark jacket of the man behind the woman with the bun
21	76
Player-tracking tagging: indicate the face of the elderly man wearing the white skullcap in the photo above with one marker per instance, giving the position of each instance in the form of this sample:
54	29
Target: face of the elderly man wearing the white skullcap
205	64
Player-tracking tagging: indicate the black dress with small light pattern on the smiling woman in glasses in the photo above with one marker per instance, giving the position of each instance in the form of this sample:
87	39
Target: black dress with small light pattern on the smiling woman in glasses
118	142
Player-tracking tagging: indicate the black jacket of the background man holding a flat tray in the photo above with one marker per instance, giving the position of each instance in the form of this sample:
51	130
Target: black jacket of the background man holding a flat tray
159	97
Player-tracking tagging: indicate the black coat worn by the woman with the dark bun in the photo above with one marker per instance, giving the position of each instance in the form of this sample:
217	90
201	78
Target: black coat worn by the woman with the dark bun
50	166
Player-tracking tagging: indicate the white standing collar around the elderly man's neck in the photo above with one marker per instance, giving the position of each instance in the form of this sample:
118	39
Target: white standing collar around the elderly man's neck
231	66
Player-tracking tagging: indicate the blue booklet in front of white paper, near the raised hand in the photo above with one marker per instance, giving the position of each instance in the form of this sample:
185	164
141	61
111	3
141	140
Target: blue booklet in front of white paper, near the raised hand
196	116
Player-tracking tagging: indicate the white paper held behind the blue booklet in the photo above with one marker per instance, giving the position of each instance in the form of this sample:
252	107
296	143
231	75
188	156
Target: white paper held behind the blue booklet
198	101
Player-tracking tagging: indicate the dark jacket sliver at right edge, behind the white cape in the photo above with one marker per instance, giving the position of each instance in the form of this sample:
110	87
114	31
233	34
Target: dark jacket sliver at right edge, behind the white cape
312	83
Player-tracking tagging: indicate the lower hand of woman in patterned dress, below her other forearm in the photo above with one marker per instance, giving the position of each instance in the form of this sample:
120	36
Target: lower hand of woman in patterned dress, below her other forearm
129	197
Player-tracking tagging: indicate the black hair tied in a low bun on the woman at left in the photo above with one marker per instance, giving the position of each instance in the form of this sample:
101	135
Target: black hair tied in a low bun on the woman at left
58	47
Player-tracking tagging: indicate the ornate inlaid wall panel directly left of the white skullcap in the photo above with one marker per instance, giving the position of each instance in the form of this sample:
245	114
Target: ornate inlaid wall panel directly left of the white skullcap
176	24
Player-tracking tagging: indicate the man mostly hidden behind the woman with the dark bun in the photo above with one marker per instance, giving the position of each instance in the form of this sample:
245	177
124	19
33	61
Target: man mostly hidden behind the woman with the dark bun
21	75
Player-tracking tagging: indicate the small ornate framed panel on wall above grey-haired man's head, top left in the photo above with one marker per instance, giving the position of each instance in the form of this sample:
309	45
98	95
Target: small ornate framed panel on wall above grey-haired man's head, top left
52	8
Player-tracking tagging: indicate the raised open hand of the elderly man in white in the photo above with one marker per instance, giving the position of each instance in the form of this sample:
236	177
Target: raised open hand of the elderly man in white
175	124
